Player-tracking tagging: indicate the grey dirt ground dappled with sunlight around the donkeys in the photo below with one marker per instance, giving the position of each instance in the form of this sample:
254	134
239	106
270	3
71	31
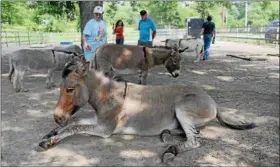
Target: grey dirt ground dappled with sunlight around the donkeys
249	89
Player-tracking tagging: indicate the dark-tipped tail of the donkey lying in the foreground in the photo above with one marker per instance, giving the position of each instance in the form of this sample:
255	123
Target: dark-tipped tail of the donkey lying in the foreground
234	124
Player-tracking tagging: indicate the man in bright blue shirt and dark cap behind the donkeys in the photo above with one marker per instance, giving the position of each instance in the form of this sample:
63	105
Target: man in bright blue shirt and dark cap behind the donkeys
145	25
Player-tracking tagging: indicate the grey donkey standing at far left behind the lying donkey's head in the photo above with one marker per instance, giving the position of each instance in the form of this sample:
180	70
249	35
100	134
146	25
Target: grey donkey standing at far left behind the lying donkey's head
36	60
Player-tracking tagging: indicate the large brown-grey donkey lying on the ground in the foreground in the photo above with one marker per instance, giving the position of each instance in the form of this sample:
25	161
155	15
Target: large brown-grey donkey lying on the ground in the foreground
127	108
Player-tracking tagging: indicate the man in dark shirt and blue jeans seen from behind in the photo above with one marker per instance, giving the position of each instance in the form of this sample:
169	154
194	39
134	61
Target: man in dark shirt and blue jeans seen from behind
208	32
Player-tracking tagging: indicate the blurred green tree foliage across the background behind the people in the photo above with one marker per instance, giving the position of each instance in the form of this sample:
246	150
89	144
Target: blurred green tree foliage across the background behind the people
60	16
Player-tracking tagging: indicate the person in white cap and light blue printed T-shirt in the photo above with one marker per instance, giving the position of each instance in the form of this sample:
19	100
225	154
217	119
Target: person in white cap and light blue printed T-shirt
94	34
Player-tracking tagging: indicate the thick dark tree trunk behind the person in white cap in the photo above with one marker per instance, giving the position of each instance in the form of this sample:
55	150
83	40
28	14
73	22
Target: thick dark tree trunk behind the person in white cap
86	13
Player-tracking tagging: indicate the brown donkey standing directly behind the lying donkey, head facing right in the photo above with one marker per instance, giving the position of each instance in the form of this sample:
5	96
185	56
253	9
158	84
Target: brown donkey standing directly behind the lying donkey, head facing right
114	59
